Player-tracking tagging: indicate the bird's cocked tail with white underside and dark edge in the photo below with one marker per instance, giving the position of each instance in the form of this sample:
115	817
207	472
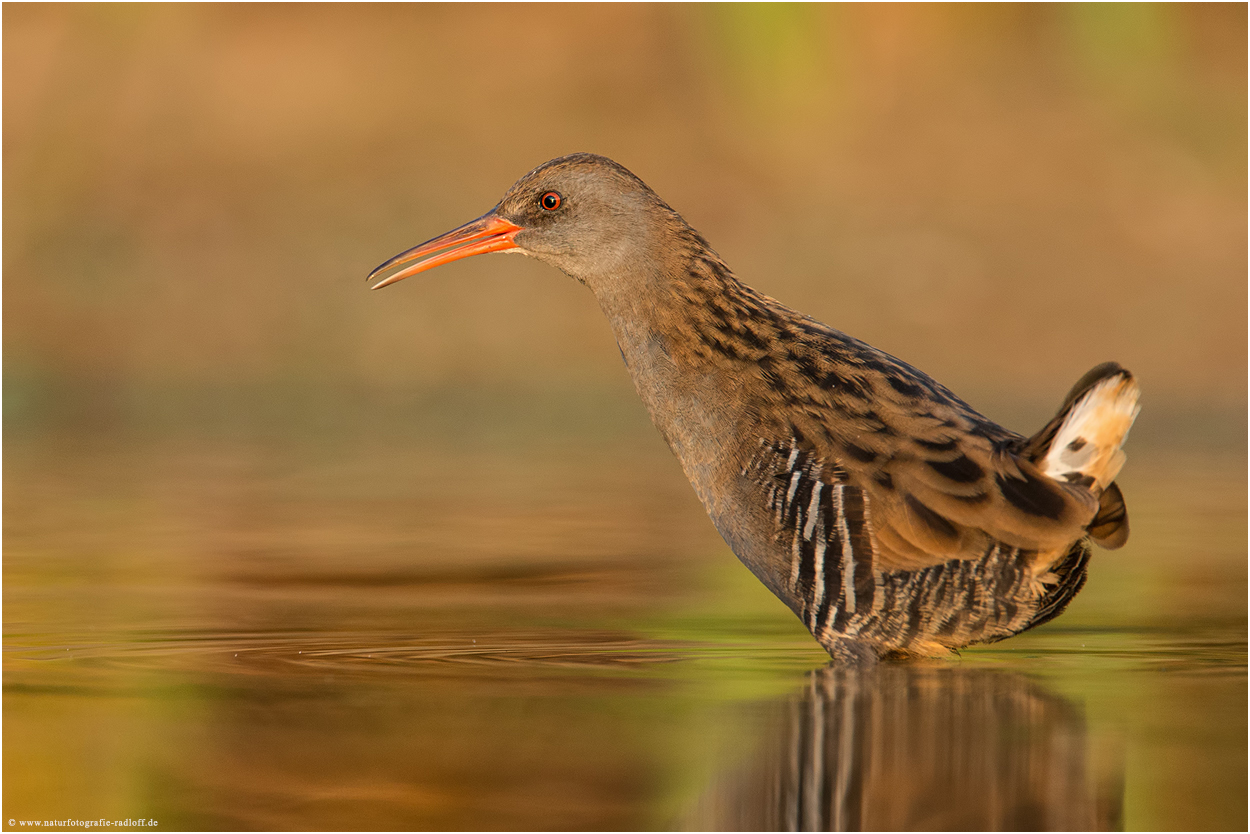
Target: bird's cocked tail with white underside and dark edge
1082	445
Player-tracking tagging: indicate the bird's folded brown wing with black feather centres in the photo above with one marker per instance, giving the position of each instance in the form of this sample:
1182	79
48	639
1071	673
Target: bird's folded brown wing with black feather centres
939	481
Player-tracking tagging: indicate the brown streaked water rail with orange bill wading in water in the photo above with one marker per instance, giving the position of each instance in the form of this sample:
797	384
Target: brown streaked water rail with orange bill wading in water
889	516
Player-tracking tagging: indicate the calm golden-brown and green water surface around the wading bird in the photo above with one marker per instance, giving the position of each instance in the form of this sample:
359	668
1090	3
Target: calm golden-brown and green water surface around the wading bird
369	633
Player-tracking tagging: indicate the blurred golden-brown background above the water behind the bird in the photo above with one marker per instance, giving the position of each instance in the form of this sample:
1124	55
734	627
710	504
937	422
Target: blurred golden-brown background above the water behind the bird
1001	196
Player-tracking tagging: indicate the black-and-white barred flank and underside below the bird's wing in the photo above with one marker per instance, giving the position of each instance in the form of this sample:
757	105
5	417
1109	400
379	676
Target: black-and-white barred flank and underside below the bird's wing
827	526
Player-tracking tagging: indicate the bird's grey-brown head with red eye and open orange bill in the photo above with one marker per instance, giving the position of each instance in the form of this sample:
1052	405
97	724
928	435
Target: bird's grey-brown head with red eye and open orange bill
583	214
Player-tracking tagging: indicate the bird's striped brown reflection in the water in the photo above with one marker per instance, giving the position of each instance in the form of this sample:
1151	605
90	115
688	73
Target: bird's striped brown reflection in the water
907	748
